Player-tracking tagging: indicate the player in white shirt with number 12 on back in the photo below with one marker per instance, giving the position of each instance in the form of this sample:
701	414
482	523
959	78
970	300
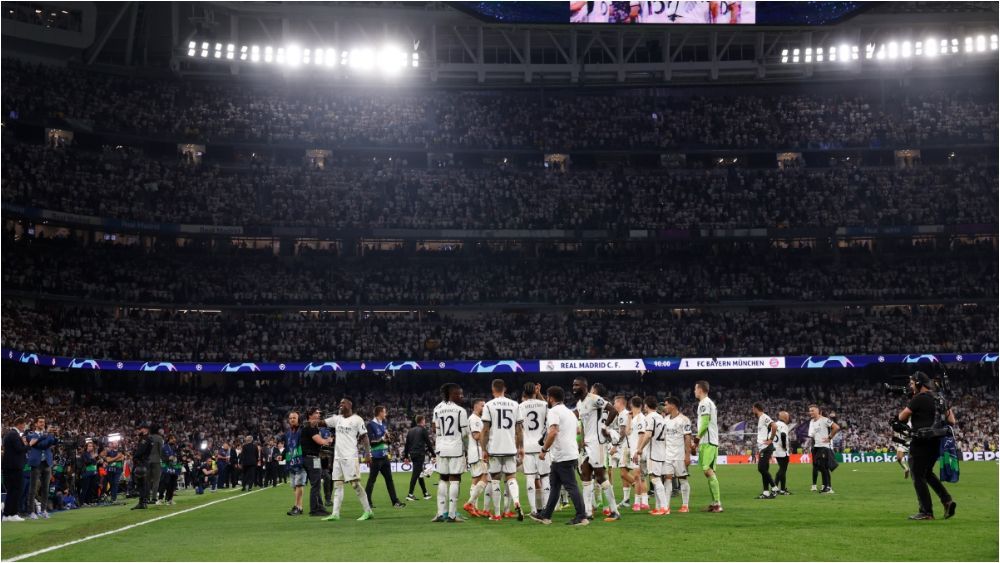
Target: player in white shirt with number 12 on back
451	427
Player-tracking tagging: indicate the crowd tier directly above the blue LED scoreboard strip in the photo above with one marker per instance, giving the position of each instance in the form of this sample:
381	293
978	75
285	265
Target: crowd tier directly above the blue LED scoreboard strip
160	334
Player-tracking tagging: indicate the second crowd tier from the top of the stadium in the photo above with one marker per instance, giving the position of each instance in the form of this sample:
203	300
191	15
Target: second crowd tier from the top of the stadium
124	184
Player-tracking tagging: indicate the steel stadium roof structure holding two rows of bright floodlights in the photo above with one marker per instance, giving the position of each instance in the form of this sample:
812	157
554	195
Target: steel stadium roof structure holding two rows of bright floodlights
436	43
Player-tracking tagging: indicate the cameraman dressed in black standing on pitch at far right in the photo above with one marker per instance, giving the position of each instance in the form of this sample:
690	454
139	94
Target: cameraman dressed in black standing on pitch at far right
925	446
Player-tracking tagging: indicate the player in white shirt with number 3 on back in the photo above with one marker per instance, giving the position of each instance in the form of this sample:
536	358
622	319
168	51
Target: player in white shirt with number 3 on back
531	415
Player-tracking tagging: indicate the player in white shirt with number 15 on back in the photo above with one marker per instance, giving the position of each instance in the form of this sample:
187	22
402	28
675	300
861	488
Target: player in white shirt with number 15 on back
501	440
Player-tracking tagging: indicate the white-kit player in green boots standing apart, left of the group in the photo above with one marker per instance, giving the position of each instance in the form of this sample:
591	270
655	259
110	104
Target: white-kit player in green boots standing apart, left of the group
350	431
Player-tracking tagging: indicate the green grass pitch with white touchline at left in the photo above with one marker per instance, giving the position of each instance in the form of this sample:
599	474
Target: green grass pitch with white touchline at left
864	520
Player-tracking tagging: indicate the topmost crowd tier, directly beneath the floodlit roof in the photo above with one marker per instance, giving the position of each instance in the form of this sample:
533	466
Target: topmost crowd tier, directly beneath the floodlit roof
315	114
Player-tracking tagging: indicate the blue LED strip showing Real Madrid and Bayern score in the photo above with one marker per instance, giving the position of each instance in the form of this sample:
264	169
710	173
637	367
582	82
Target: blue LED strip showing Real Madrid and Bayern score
505	366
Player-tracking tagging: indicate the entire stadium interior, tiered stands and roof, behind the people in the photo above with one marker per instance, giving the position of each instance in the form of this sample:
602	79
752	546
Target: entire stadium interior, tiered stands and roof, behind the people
280	200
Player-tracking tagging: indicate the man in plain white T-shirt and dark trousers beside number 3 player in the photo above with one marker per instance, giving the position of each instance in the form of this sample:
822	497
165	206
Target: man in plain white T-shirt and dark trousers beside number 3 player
560	446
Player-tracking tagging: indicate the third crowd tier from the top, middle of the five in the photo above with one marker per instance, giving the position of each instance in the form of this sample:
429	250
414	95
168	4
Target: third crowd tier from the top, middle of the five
174	275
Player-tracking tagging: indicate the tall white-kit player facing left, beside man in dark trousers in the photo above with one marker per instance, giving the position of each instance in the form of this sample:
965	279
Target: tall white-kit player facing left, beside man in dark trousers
591	407
